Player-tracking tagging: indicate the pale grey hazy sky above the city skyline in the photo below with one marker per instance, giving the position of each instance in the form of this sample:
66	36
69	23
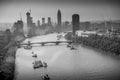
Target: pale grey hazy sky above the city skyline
89	10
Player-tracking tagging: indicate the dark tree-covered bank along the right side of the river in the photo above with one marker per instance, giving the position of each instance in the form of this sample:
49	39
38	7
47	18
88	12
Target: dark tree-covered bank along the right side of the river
109	45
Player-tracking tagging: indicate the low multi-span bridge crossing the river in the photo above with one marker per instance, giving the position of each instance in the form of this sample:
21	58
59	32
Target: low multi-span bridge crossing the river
43	43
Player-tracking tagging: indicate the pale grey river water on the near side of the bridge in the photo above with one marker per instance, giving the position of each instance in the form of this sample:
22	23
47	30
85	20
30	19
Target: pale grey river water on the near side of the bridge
65	64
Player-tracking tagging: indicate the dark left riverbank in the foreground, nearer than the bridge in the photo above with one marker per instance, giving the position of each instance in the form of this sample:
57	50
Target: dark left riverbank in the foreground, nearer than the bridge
8	64
